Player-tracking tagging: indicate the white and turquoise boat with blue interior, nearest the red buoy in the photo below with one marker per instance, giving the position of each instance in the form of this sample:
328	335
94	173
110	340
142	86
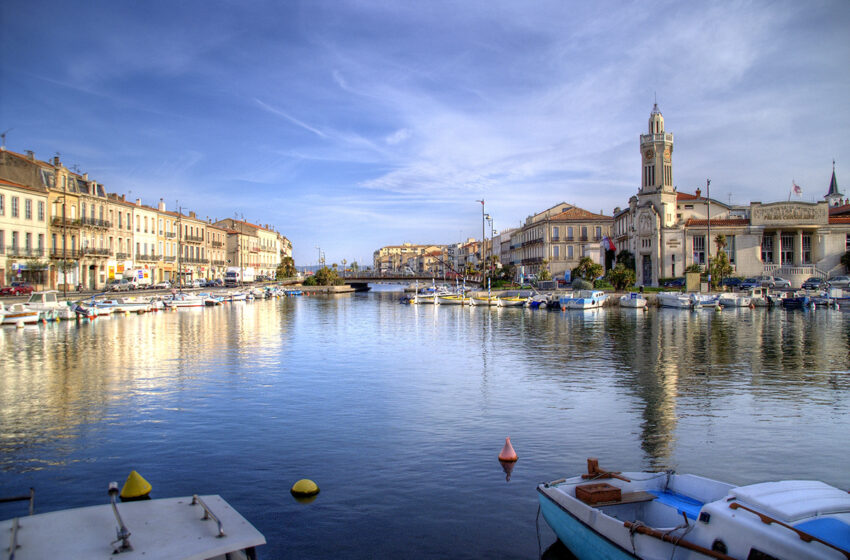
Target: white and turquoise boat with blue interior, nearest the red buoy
655	516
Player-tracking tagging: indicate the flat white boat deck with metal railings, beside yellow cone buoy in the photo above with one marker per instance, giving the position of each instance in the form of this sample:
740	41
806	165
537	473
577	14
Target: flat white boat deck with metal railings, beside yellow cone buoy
191	527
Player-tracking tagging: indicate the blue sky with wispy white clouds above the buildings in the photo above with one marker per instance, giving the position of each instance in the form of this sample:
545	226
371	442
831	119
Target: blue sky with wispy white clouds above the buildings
351	125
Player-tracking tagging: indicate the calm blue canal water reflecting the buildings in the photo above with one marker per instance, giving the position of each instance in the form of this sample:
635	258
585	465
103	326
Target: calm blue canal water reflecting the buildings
399	412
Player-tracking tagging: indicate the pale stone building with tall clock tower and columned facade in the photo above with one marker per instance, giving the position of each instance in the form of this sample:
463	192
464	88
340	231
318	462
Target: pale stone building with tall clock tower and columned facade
667	230
